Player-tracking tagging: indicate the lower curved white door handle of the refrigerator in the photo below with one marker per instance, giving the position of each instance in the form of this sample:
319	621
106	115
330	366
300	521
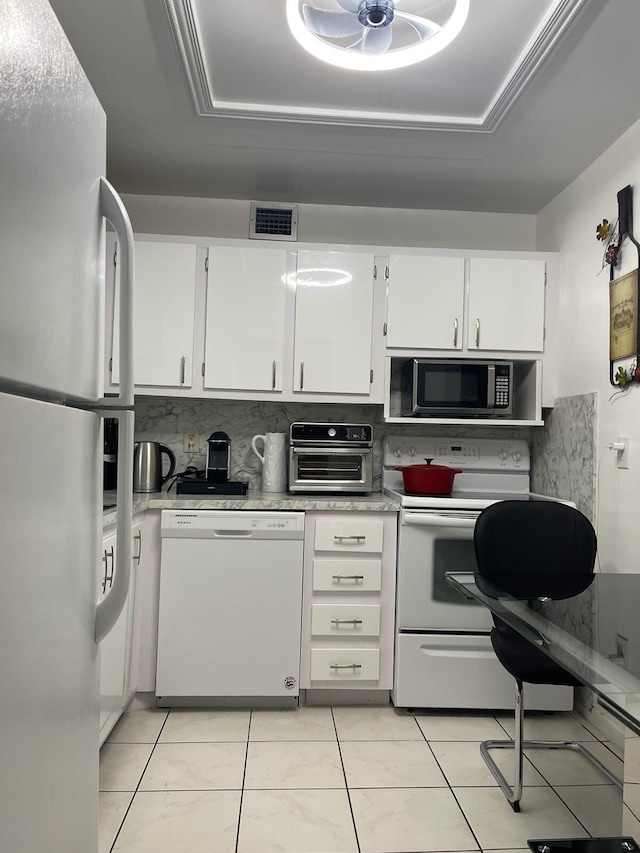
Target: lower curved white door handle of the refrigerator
109	609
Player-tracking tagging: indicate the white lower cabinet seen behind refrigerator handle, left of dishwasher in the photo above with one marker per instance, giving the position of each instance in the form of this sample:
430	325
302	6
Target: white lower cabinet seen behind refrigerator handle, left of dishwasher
115	651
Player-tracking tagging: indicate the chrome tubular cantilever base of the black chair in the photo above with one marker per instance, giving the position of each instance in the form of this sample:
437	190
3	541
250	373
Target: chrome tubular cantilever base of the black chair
513	793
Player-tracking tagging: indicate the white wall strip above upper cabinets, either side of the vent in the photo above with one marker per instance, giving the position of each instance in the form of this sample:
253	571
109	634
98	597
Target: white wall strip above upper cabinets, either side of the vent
206	217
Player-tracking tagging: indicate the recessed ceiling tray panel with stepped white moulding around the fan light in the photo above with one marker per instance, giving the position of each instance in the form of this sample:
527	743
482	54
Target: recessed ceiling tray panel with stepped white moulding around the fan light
471	85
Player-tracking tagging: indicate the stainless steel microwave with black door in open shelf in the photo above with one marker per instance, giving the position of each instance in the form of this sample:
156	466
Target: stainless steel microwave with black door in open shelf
457	388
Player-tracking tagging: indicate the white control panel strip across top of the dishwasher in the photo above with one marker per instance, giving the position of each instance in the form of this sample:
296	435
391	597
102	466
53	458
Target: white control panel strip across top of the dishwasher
230	523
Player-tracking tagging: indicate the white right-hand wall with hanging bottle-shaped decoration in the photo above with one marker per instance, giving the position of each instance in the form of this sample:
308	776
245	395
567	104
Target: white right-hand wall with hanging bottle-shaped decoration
568	225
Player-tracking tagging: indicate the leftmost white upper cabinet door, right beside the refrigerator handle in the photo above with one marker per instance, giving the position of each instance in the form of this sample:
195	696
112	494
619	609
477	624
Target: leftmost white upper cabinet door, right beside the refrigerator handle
163	315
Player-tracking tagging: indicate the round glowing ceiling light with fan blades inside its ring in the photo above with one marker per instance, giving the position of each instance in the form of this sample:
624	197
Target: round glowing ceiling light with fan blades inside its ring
372	21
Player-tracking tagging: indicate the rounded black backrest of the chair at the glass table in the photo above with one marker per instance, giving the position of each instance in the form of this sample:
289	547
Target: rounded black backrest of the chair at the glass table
531	549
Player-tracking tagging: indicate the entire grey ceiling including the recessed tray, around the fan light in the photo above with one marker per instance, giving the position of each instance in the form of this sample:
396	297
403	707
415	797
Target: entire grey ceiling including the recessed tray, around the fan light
494	123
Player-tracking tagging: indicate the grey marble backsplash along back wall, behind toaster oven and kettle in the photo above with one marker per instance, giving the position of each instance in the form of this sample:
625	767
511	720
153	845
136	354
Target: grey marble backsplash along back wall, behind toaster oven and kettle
165	420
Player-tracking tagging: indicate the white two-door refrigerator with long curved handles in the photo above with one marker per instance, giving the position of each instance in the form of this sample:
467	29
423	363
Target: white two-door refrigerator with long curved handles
53	205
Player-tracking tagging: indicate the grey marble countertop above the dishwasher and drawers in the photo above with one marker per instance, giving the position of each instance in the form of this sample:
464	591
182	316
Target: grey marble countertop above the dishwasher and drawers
255	500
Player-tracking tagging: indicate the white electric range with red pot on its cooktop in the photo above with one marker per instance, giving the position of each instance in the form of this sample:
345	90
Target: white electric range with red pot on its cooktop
444	657
